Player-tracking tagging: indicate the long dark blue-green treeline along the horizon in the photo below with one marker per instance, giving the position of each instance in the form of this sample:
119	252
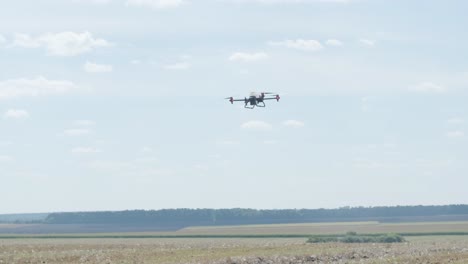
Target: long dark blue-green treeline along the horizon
176	218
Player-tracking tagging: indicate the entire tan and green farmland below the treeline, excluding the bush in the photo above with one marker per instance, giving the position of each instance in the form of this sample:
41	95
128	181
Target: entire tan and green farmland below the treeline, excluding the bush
226	245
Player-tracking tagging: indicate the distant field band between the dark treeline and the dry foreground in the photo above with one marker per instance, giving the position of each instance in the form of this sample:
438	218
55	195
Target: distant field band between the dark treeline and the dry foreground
275	230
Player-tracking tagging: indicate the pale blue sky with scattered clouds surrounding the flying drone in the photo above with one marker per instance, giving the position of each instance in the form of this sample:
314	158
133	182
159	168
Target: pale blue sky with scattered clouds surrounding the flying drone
119	104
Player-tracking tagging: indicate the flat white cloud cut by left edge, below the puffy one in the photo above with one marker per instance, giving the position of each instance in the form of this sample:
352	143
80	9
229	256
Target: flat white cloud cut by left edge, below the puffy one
38	86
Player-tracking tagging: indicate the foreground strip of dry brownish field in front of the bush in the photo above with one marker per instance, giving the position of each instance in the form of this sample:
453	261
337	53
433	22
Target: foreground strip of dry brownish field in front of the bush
441	249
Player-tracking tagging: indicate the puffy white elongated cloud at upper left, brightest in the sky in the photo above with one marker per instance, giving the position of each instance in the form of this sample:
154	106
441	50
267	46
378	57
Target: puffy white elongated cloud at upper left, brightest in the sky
61	44
